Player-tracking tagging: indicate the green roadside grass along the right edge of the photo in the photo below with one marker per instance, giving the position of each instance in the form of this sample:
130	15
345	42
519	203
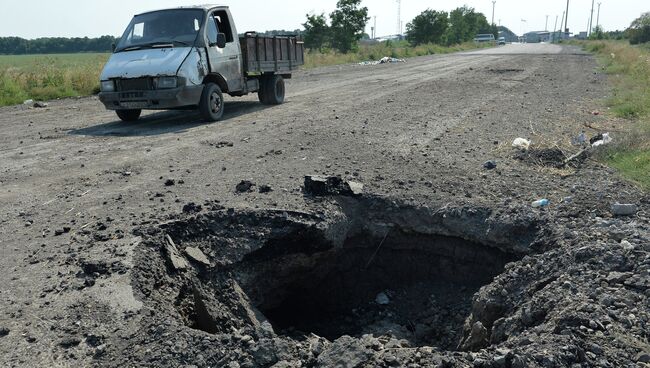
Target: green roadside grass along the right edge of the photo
628	68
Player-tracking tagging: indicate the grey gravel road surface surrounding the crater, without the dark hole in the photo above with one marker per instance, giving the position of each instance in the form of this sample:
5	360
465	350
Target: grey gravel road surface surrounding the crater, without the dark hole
77	188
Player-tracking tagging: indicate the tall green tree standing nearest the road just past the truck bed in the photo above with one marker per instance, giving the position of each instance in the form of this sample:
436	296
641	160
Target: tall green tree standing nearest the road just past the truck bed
348	23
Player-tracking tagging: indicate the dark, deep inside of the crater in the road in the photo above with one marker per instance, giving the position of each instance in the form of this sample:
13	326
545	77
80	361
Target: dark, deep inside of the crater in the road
414	287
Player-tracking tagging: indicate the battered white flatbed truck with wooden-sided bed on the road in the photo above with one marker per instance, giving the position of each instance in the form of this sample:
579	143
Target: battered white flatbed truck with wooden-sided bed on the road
188	58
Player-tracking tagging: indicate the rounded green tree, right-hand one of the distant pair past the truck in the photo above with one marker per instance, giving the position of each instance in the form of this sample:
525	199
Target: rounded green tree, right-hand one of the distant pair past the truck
465	23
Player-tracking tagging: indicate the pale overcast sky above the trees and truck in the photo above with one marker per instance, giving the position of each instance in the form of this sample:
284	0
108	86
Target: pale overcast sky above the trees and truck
79	18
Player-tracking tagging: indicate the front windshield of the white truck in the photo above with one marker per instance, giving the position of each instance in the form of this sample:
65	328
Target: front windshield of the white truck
166	28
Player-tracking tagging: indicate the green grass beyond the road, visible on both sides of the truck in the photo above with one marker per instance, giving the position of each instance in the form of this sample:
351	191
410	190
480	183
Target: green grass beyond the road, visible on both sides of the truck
47	77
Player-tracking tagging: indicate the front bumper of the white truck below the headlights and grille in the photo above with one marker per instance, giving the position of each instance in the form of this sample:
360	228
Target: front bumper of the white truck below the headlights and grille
152	100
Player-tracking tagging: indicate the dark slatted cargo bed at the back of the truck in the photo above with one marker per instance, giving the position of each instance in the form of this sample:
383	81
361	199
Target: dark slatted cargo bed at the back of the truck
277	54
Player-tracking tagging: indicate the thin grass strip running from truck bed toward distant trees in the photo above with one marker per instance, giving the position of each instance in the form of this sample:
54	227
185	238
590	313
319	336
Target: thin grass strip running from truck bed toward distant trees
396	49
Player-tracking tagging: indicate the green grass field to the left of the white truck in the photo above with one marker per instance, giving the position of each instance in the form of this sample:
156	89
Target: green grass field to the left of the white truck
47	77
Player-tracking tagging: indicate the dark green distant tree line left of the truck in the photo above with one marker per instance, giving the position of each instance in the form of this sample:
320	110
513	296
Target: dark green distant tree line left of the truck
55	45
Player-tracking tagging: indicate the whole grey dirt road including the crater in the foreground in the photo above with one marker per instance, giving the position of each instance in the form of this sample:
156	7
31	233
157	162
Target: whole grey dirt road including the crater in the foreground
136	244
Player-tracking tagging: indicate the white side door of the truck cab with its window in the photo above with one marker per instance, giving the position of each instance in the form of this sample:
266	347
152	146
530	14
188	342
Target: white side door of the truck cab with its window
226	61
